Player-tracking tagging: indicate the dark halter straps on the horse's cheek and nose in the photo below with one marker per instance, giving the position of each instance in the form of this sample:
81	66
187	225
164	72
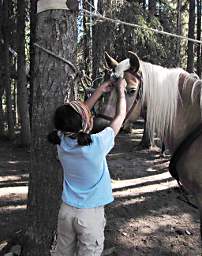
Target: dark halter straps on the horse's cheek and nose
137	98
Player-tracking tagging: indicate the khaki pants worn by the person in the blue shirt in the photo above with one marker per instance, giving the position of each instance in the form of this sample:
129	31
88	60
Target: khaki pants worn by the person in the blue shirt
80	231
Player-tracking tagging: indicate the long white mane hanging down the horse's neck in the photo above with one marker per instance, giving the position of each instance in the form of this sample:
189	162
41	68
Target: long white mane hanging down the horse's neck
160	92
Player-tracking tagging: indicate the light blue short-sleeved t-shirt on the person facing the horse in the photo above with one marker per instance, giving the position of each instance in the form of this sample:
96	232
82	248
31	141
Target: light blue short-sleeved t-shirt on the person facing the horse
87	182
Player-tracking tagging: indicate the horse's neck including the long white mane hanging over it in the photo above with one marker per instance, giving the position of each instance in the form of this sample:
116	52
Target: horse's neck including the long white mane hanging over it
173	107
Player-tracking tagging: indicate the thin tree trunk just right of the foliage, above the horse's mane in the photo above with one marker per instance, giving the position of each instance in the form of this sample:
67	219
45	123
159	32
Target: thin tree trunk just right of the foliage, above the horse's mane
179	30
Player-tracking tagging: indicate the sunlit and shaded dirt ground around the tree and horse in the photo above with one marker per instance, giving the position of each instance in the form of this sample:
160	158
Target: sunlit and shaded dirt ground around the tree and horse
147	217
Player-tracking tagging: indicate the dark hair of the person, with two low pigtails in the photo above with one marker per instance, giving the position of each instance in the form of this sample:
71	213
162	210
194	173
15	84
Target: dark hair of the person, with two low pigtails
66	119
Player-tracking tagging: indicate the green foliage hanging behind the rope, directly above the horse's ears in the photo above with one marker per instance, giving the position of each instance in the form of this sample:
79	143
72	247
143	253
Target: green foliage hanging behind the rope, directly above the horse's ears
149	46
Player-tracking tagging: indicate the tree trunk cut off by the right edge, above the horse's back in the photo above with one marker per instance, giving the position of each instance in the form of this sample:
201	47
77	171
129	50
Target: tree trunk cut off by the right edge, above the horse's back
199	46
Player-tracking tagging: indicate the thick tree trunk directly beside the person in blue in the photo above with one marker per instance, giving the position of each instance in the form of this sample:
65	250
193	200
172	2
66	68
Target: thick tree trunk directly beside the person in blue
56	30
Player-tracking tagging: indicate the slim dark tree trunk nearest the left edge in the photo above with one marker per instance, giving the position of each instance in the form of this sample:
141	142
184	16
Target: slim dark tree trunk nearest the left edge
7	82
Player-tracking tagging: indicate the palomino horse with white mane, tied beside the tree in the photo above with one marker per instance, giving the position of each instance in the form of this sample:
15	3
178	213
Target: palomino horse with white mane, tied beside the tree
173	99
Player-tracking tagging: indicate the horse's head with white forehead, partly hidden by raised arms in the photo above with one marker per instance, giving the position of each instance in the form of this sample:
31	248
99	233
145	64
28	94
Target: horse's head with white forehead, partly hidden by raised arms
129	70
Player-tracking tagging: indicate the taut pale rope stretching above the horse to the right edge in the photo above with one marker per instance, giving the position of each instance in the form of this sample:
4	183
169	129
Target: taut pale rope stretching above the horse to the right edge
117	21
